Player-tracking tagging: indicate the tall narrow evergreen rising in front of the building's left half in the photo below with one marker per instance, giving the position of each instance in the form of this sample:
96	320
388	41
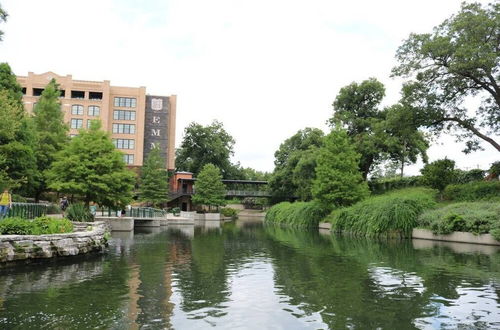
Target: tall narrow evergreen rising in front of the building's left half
51	132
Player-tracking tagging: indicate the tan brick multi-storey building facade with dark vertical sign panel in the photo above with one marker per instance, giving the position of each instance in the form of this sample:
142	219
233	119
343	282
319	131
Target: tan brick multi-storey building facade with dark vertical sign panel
137	122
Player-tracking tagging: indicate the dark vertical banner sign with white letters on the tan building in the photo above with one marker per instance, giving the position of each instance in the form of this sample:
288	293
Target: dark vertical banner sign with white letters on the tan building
156	125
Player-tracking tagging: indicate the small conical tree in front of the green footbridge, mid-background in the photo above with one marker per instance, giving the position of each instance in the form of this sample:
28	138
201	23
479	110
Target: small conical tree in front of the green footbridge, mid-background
209	189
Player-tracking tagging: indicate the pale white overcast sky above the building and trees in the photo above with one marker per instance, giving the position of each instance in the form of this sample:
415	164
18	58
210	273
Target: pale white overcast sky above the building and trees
264	68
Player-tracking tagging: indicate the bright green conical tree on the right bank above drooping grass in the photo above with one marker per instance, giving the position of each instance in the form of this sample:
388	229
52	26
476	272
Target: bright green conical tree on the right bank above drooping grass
338	179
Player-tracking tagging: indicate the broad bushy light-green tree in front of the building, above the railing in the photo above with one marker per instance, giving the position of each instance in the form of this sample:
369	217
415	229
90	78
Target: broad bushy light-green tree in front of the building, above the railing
90	167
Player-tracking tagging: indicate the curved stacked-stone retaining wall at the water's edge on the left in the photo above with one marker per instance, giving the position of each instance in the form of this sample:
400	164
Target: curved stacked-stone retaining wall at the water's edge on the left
22	247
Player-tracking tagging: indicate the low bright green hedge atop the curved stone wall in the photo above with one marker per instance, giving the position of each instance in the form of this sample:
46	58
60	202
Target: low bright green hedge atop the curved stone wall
39	226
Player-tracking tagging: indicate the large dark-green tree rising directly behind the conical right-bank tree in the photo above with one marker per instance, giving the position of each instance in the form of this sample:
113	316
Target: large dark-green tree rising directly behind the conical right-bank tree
375	132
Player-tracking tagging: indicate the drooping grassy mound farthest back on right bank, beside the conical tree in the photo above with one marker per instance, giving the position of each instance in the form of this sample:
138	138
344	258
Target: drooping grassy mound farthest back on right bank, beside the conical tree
301	214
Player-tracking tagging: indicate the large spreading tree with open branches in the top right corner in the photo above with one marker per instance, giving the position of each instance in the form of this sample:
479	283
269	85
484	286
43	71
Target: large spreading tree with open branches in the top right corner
458	61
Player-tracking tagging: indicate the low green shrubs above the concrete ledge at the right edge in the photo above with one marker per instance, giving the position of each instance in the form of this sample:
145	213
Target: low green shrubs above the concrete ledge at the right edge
473	217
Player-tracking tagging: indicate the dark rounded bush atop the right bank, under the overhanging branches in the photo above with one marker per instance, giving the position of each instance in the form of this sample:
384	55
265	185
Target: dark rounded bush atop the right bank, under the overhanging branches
439	174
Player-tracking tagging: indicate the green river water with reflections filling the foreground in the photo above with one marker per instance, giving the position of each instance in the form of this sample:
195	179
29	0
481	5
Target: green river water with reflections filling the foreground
242	275
